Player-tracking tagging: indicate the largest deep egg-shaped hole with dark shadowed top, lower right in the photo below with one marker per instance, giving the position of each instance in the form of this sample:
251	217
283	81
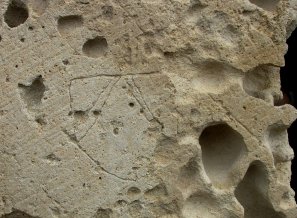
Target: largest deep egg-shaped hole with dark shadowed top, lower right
221	147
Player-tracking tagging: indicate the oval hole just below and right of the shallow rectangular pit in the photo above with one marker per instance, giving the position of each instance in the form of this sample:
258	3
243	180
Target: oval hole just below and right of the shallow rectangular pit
95	47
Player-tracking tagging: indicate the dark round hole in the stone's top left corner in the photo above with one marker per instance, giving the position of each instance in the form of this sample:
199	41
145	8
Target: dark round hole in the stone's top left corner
16	13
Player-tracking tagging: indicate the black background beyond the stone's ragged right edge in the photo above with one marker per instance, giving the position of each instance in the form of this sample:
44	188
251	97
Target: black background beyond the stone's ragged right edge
289	89
